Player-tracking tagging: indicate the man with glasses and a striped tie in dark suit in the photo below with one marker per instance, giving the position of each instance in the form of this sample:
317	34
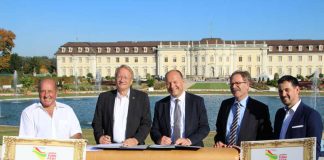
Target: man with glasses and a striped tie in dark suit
241	118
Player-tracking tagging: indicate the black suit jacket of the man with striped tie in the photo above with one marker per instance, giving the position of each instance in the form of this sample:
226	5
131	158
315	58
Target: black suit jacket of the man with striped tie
255	125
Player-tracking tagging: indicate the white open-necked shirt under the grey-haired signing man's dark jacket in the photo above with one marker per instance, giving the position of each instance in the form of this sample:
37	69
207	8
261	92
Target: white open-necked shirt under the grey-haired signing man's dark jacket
120	117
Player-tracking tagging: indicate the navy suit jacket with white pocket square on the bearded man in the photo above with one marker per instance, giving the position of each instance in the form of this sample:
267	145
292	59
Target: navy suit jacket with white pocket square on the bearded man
308	118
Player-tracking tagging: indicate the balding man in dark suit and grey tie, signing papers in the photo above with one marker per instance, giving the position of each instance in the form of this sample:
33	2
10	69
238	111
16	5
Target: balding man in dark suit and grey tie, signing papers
190	126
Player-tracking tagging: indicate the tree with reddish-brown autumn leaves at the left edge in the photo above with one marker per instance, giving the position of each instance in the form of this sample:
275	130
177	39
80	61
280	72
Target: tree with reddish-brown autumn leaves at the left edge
6	45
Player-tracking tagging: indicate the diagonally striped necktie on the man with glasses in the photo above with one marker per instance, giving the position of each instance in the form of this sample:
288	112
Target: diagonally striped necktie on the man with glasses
234	126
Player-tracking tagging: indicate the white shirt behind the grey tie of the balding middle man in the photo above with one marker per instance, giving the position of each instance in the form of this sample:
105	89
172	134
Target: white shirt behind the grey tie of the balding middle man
182	102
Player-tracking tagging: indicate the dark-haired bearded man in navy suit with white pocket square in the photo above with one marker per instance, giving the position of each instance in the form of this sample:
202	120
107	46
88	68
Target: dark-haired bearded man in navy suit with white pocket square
296	119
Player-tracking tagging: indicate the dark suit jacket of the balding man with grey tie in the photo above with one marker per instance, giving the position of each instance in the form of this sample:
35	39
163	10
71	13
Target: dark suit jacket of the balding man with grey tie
196	121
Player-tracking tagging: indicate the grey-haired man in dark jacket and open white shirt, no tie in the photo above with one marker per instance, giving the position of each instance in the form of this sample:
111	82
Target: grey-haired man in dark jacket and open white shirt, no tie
122	115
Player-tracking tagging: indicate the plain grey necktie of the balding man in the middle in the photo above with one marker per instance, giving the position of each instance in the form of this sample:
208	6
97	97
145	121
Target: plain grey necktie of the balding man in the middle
176	121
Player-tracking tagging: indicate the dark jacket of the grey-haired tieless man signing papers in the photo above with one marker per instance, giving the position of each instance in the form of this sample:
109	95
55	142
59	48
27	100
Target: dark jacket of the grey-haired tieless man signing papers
138	118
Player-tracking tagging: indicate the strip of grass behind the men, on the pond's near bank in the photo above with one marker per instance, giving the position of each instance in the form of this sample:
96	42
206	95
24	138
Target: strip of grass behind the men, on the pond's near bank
88	134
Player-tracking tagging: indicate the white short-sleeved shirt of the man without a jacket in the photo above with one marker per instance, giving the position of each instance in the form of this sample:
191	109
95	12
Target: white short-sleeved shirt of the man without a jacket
35	122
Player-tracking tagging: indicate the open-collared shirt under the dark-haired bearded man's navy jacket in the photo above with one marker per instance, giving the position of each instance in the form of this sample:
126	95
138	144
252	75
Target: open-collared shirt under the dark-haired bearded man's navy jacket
285	124
